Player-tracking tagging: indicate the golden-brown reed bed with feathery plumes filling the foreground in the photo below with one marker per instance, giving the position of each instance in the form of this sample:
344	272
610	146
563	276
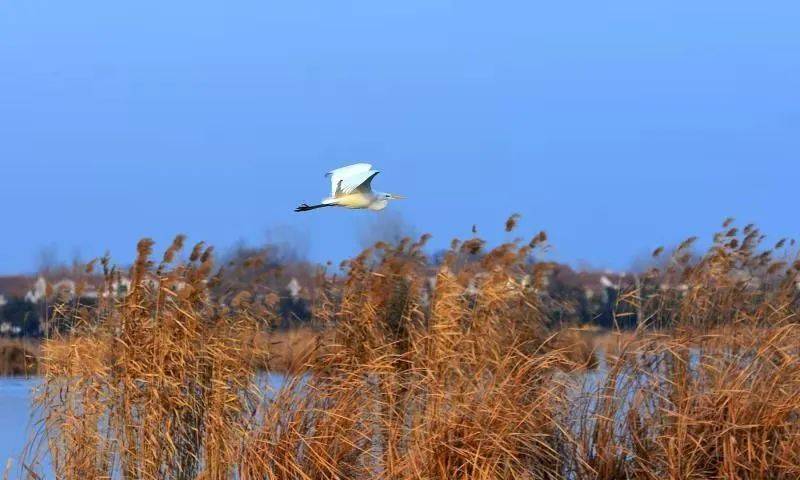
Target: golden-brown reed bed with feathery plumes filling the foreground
453	370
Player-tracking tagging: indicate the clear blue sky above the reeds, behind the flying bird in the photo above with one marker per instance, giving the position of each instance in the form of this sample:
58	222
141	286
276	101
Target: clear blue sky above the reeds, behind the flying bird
616	126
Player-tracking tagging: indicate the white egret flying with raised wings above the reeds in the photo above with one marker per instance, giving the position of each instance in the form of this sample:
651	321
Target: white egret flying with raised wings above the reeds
351	187
